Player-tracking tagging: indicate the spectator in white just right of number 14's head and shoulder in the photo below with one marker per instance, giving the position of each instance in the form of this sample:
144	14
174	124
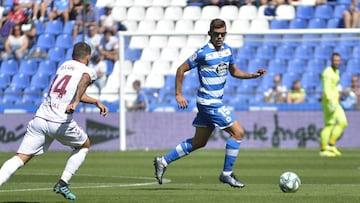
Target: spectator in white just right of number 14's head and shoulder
101	69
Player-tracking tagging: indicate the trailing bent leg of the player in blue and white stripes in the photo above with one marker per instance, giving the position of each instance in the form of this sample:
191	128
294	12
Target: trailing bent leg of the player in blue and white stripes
200	139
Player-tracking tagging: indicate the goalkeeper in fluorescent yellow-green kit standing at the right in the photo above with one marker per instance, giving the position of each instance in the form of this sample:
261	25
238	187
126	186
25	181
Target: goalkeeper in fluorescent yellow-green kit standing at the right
335	120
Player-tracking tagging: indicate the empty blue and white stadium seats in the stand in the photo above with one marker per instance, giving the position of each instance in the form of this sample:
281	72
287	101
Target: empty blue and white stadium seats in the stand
154	59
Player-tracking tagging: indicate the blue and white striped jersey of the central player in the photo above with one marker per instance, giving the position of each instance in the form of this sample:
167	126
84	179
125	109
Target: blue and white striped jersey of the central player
212	67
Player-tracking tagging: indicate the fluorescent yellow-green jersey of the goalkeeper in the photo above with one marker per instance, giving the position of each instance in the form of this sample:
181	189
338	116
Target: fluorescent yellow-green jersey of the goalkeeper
330	80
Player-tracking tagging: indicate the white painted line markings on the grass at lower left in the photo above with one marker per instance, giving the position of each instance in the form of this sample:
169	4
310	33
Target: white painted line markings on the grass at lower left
102	185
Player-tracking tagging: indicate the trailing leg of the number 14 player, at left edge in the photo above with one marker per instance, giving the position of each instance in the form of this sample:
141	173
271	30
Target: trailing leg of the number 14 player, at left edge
32	144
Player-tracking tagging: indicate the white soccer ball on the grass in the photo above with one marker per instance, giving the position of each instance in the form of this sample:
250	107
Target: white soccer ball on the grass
289	182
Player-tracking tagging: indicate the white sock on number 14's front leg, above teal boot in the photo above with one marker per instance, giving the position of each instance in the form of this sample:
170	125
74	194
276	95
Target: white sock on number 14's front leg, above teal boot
74	162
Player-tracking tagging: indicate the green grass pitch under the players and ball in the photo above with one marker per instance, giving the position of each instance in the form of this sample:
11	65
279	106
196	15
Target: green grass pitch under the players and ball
114	176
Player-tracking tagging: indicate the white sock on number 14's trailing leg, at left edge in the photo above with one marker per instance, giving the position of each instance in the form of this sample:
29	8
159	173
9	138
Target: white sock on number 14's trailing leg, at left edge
9	168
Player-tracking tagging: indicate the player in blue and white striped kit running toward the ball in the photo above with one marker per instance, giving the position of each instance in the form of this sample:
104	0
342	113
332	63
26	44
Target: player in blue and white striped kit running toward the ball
213	62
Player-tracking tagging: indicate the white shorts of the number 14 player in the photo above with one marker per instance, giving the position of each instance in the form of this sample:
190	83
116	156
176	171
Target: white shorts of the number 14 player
41	133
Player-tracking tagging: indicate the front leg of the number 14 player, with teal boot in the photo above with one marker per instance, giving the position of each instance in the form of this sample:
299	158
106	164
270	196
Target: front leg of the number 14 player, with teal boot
73	136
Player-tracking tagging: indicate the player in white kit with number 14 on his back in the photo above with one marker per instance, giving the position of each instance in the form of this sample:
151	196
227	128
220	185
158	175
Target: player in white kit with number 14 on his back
54	120
